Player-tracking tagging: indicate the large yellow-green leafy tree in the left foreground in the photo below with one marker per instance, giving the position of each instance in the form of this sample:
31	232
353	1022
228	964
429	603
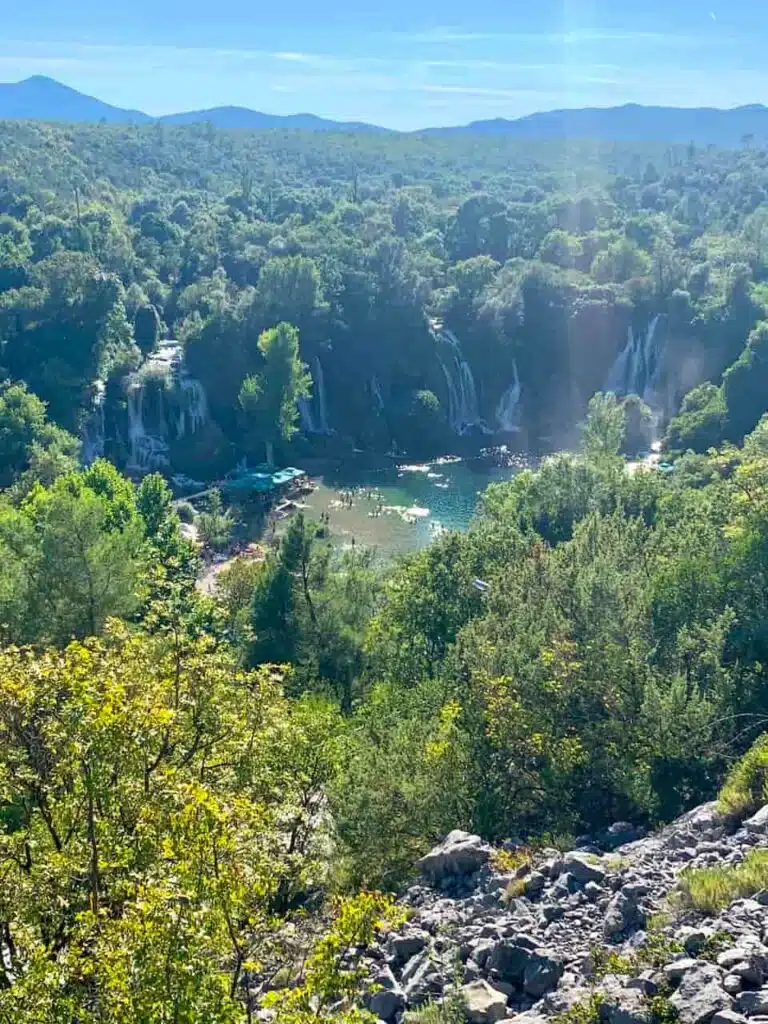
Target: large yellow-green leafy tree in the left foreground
156	803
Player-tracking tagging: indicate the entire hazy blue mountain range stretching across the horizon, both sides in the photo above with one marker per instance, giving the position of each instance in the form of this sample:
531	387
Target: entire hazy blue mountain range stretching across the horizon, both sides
41	99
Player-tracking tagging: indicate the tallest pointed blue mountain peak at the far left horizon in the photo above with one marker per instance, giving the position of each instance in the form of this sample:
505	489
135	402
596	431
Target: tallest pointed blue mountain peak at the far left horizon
41	99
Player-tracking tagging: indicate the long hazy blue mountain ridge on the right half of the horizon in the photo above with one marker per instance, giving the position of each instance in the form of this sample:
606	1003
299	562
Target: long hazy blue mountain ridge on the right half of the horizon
631	123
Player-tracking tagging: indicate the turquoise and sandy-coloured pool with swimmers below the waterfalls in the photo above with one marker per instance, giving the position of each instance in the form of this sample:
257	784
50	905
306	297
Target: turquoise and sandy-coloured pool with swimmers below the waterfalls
403	508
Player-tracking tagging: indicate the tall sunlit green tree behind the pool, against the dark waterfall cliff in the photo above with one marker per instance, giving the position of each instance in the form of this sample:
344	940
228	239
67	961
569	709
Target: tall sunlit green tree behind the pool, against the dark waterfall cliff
269	400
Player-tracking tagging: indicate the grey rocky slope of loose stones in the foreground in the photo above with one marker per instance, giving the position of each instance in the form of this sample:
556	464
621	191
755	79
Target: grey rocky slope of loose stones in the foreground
535	944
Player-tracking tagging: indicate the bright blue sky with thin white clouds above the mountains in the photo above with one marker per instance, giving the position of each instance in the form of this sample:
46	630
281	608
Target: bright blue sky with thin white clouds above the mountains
404	64
